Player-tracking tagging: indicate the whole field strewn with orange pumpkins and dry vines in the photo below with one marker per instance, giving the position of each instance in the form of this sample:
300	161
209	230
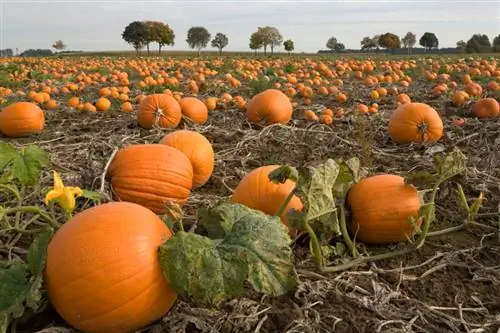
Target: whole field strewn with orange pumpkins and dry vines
311	193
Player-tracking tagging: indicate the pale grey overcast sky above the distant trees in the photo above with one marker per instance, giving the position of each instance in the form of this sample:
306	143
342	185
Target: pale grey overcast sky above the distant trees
97	25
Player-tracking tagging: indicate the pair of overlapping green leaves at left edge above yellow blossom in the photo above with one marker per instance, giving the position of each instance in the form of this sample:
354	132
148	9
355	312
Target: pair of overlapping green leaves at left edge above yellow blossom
23	165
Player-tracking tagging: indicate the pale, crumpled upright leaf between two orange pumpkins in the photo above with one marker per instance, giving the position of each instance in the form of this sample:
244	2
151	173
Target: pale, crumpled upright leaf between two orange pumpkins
315	189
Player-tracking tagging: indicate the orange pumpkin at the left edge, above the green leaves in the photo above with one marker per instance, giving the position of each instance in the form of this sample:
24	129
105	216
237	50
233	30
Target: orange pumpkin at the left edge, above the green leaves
21	119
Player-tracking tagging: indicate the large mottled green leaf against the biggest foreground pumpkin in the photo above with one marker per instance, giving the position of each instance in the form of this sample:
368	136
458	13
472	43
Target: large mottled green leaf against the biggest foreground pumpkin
248	246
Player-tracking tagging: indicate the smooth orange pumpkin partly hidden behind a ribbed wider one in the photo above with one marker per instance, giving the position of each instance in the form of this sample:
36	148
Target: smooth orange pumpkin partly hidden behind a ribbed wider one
199	151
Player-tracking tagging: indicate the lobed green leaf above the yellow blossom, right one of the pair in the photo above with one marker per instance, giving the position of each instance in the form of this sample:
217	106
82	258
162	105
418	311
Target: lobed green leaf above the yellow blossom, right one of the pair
26	167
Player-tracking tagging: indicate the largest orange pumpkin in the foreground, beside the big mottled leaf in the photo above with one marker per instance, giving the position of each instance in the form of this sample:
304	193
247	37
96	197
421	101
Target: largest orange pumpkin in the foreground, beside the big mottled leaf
103	274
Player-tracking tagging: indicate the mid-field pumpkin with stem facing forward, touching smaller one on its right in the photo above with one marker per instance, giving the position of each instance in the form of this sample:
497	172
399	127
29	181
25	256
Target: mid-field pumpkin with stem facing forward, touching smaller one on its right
159	109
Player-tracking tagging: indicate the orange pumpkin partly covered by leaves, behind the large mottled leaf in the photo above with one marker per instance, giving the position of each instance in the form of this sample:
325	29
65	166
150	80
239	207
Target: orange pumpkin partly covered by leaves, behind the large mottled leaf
256	191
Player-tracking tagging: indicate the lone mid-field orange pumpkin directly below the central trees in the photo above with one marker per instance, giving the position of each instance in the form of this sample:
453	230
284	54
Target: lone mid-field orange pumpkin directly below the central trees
271	105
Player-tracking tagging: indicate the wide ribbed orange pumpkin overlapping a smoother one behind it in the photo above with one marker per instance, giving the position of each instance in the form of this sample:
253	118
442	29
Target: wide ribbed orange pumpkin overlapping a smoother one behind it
151	175
